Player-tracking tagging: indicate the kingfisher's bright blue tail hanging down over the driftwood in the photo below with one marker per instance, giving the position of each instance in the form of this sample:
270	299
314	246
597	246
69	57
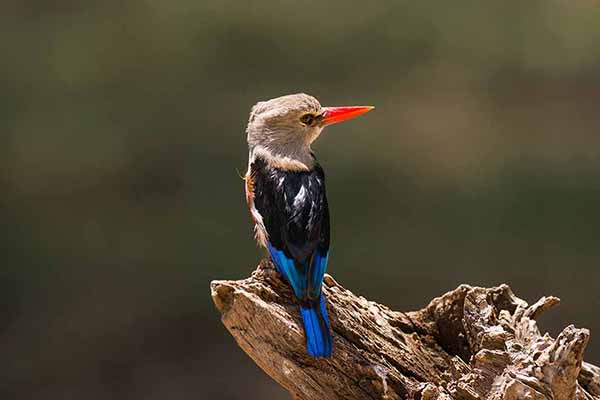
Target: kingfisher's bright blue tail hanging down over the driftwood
316	328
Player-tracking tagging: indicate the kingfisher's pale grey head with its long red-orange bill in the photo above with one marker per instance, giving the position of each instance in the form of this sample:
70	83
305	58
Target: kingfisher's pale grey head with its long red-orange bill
283	128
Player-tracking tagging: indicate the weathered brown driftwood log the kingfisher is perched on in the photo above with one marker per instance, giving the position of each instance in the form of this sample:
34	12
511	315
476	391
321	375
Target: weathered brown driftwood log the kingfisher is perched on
469	344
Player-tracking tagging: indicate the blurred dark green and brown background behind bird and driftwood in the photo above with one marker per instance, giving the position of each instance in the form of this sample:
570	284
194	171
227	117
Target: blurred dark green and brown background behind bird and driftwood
122	140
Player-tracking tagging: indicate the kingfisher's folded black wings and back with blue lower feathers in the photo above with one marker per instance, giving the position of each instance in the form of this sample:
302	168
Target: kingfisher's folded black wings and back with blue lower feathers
294	209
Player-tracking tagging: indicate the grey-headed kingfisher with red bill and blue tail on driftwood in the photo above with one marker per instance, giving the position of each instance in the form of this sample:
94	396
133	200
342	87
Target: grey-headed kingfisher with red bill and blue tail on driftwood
285	193
